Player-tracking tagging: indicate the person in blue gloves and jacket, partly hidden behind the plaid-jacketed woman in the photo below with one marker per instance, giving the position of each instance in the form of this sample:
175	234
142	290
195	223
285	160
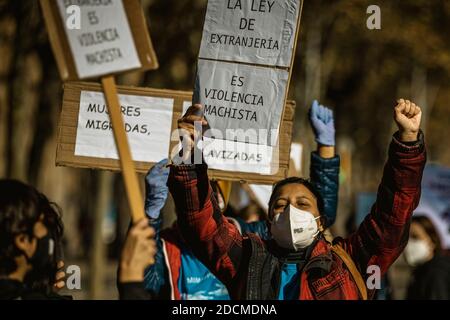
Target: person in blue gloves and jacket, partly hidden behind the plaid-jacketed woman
177	274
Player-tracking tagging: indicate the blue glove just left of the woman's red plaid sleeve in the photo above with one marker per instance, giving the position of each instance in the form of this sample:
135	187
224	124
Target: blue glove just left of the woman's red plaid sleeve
156	190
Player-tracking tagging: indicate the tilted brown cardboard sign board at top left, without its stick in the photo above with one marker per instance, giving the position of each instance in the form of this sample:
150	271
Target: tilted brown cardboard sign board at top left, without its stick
111	37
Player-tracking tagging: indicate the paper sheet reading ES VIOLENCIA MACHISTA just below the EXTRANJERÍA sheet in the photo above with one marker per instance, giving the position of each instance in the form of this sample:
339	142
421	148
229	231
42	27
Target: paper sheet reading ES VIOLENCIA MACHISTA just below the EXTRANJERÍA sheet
241	103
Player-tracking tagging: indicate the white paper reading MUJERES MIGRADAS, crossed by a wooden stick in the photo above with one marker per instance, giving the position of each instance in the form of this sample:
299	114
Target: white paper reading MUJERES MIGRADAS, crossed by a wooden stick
148	122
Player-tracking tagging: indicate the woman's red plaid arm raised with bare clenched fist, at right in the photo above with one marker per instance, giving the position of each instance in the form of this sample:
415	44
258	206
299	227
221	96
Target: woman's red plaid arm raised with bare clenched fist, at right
384	233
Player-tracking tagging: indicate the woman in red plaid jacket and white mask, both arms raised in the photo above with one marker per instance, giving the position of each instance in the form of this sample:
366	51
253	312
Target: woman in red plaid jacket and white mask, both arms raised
298	262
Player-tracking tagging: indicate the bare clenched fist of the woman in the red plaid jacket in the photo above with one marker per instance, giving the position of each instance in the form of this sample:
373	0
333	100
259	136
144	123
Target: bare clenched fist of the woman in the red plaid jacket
408	116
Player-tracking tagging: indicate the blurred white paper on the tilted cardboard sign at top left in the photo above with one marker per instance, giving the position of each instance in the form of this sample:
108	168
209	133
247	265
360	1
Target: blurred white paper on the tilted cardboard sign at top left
104	43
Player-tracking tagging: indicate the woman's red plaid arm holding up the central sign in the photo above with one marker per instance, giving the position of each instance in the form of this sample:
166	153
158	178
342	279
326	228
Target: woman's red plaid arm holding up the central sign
212	238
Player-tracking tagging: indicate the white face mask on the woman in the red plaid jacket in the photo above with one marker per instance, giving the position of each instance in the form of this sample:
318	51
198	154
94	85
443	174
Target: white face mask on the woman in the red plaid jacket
294	228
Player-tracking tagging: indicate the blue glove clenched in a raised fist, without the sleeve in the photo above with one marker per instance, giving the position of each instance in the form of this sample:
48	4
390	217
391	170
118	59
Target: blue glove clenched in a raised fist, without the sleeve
322	122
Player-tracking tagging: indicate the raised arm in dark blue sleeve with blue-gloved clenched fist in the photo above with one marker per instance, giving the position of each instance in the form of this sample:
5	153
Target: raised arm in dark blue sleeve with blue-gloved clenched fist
324	168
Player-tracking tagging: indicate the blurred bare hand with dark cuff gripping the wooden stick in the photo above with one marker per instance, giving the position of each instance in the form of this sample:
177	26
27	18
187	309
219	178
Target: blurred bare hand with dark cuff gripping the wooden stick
137	254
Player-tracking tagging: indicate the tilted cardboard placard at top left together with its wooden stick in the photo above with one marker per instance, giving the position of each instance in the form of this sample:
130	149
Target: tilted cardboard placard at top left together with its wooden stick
92	40
